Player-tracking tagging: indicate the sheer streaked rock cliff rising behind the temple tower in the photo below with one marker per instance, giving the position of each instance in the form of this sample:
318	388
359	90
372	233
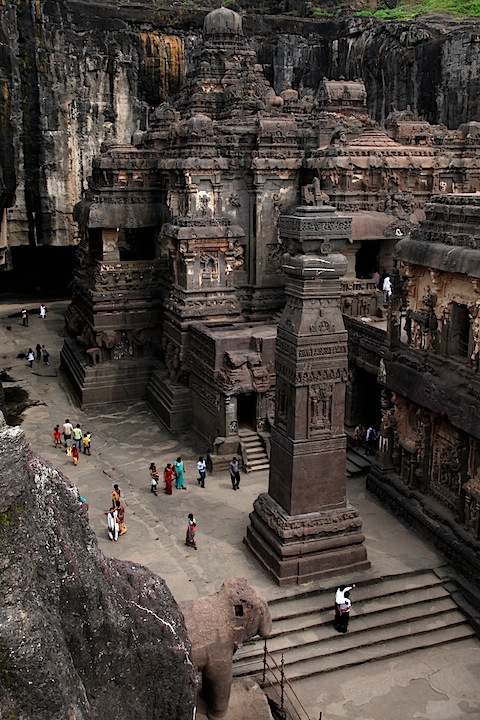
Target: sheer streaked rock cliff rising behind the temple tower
74	74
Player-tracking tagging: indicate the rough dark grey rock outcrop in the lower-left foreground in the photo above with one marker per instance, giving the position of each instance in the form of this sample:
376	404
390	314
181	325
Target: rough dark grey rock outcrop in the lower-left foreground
81	636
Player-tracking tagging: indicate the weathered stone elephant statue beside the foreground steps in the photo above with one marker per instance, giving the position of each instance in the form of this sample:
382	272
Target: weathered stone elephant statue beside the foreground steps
216	626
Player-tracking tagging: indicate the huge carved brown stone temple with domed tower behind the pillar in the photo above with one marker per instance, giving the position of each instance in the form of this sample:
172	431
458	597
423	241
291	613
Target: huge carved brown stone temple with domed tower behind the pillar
179	284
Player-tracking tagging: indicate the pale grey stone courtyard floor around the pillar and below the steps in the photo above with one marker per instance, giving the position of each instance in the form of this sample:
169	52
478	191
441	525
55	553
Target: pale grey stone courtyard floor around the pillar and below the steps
436	684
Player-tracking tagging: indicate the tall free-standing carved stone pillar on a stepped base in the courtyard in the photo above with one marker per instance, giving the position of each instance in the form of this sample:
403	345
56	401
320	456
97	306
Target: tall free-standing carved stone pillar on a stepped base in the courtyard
304	527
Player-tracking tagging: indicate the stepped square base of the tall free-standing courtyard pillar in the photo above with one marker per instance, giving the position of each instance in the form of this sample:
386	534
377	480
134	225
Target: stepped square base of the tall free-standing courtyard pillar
298	549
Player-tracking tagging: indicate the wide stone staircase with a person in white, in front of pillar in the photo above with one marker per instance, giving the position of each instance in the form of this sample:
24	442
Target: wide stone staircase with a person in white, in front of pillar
391	616
